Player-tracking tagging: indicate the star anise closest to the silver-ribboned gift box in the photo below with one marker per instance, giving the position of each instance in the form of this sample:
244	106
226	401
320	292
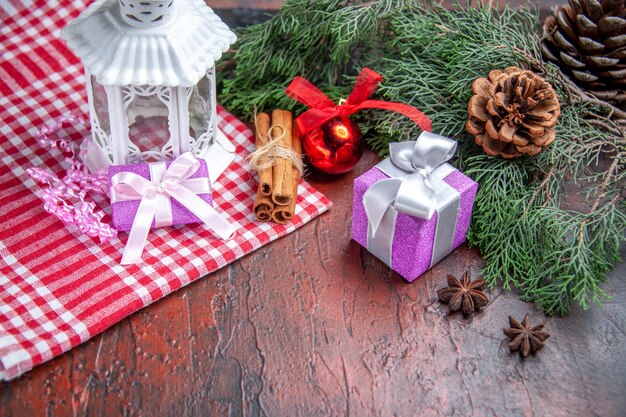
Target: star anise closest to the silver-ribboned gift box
464	294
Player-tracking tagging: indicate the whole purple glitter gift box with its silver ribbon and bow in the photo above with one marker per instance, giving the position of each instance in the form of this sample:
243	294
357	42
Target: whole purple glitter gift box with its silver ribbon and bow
414	233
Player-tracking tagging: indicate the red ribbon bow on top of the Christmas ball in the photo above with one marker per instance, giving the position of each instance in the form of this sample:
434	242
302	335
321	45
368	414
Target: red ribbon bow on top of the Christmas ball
322	108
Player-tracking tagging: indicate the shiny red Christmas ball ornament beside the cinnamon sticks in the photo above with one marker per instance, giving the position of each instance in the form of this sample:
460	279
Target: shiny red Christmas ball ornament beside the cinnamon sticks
335	147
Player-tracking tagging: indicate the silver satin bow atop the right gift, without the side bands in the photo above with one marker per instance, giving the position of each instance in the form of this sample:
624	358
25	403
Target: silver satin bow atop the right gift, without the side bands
413	193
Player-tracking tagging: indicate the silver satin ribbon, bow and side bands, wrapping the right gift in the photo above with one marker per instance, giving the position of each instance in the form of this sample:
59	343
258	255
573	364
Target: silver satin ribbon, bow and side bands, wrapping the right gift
415	187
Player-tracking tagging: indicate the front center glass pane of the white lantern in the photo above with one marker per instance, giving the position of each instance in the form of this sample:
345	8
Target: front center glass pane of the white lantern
148	126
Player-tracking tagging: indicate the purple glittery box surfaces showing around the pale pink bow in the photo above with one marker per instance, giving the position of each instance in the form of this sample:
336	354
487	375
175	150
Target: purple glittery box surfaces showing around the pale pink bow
123	212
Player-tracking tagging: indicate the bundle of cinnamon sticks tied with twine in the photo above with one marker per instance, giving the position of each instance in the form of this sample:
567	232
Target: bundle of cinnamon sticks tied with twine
278	161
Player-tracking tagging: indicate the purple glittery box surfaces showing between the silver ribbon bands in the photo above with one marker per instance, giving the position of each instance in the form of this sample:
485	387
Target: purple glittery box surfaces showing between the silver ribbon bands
413	238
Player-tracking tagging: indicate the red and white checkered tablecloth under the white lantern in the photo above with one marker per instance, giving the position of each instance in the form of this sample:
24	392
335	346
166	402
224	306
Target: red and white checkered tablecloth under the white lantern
58	287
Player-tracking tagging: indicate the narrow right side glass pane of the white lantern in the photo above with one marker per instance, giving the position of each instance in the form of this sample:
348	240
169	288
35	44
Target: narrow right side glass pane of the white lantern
201	107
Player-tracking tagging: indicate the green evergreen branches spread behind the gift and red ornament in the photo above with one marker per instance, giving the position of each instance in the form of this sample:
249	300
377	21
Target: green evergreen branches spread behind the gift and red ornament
530	235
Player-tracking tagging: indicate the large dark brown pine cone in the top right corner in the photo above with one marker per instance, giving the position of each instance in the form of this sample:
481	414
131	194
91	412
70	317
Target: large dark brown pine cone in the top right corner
587	40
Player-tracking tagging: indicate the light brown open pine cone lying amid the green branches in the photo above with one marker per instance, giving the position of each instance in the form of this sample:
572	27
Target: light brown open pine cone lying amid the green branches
512	113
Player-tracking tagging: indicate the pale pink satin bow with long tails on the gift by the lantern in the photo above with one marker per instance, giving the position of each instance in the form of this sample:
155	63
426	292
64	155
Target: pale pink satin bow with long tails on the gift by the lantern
155	194
